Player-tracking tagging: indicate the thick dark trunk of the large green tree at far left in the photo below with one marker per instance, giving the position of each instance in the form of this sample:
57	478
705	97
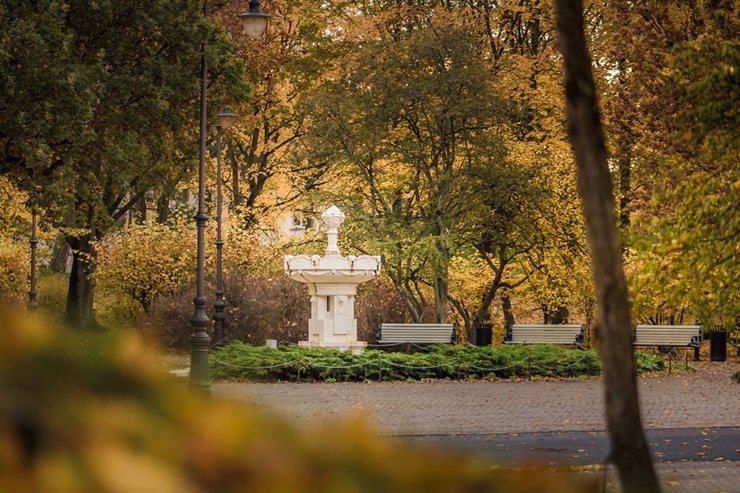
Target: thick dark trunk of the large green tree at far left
79	312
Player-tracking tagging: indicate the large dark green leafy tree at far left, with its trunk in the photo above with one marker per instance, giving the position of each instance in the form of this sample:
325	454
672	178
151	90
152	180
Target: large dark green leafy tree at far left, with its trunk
95	101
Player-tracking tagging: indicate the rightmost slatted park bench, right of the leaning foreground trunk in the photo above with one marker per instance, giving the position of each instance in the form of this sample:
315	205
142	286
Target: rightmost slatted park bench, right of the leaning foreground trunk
667	339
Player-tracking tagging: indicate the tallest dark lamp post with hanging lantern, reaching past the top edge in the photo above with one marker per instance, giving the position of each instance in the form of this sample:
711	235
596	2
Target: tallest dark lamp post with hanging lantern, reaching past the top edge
255	23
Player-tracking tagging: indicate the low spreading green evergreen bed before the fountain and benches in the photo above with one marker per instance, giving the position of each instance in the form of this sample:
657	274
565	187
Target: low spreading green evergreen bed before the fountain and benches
239	361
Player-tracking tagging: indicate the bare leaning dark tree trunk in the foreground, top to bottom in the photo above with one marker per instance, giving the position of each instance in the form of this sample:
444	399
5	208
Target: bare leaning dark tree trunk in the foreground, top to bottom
629	448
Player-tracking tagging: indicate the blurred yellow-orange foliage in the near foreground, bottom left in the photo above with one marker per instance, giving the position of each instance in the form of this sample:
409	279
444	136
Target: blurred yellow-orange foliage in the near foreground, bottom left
70	422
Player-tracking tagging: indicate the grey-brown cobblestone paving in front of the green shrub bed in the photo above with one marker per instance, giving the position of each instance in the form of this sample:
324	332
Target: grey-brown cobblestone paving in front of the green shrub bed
705	398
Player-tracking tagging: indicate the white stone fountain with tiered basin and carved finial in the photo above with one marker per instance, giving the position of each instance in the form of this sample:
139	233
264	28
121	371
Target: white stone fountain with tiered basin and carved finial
332	283
